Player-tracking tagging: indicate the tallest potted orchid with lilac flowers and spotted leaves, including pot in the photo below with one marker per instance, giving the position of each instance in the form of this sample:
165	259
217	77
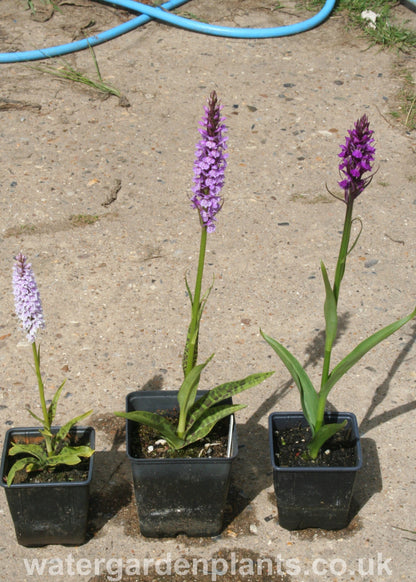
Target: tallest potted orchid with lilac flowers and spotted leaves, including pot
181	481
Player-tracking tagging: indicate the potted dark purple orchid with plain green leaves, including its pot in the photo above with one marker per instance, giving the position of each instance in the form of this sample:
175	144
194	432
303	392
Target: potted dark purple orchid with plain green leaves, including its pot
314	479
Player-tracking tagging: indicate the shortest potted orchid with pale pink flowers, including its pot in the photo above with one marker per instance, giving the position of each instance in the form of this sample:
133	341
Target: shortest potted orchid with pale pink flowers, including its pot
45	471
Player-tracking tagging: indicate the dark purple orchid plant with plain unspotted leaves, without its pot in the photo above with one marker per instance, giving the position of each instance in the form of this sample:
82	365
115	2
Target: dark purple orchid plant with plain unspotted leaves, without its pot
357	156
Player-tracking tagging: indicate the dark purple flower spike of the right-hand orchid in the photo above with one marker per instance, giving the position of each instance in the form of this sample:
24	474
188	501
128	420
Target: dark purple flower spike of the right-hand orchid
357	155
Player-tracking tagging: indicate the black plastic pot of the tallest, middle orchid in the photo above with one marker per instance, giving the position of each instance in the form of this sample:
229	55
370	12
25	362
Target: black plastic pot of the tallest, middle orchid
178	496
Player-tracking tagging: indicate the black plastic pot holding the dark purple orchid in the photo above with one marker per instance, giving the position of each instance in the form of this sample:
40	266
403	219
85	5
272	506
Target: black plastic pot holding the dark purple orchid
317	497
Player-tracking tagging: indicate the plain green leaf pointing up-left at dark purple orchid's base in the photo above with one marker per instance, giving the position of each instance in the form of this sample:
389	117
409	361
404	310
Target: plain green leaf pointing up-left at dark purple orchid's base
308	395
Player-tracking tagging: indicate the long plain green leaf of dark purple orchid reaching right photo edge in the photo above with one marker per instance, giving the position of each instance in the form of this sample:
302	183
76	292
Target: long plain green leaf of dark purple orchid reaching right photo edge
362	348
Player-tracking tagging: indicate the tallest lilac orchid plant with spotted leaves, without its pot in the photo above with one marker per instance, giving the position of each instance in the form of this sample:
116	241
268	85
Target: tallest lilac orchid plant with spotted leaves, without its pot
198	416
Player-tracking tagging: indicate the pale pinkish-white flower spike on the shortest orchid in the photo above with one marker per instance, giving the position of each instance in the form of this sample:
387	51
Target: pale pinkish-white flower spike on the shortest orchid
27	298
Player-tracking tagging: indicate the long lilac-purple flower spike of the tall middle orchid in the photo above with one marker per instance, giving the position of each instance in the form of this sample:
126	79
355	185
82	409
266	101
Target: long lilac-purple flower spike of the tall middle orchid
210	163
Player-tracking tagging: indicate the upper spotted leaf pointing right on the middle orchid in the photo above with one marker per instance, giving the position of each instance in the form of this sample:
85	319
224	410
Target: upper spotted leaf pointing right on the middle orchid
220	393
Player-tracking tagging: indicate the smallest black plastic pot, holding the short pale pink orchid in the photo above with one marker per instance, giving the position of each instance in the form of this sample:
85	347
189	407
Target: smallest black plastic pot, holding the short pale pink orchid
48	513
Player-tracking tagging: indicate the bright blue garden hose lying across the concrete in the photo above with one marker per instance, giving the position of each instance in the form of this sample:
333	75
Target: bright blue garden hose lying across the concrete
161	14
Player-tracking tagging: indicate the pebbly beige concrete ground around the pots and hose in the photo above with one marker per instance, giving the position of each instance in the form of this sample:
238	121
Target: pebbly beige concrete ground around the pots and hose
95	191
